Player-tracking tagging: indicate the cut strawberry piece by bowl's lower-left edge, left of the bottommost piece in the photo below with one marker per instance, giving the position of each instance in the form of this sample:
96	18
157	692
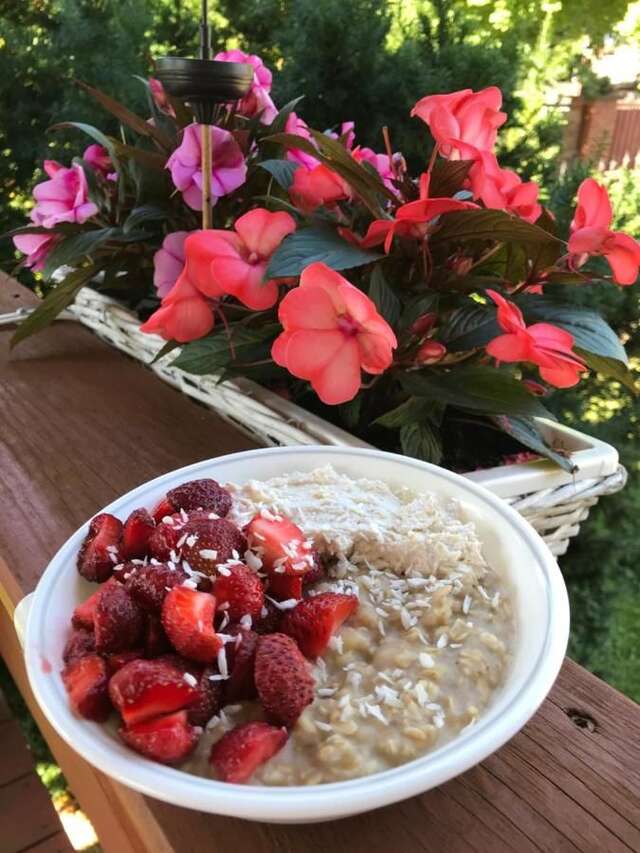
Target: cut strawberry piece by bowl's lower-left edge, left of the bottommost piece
167	739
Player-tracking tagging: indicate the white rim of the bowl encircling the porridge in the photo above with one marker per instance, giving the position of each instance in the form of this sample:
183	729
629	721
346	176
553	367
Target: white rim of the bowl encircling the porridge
312	802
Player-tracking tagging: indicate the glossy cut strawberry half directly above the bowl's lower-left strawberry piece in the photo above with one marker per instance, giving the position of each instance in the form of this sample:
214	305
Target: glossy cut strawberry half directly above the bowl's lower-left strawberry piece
143	689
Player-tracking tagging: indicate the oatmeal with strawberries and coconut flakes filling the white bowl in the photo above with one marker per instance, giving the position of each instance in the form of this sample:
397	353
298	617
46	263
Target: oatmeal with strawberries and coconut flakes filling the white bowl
306	629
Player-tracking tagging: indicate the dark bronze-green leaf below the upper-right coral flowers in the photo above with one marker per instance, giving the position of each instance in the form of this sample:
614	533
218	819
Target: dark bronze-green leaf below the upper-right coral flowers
465	225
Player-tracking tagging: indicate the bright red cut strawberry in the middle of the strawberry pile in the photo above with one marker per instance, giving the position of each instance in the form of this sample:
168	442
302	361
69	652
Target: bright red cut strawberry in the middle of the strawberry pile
187	617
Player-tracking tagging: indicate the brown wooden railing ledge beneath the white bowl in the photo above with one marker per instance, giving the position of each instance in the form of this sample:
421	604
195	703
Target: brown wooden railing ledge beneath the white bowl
80	424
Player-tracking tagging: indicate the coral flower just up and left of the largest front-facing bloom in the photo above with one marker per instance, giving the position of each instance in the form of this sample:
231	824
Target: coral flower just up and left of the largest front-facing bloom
235	262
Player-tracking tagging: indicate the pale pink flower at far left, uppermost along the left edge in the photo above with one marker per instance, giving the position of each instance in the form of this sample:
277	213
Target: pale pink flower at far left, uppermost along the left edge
63	198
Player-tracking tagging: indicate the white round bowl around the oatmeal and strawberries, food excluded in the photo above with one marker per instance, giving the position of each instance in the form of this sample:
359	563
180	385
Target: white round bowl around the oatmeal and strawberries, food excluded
510	545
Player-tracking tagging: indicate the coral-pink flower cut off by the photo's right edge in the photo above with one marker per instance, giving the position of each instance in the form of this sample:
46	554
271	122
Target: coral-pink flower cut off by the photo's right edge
591	234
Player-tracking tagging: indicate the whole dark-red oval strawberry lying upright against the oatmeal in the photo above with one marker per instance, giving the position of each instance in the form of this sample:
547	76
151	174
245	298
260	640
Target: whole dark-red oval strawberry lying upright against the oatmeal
284	682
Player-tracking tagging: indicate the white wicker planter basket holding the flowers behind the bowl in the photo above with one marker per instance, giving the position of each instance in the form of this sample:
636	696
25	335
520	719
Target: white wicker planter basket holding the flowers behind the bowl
554	502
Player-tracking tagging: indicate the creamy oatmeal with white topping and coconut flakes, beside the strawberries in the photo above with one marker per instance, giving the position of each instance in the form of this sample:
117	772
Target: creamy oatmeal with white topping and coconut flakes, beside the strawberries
419	660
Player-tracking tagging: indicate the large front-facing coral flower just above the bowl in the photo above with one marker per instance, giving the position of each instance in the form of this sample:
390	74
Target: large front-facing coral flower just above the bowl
332	331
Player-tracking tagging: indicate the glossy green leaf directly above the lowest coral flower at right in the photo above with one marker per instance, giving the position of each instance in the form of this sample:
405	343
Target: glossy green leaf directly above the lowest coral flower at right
588	328
